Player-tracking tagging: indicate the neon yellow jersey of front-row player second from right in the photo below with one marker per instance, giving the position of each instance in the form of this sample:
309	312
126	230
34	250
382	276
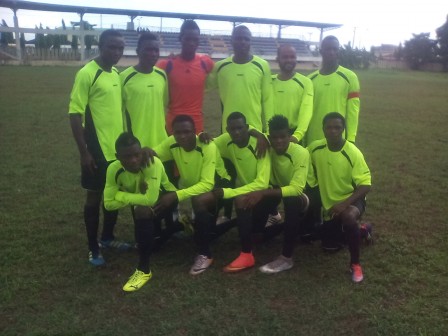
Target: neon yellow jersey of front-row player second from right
289	170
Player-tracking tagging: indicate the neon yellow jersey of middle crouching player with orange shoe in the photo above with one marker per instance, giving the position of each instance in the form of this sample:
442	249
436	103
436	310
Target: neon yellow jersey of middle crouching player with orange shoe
252	172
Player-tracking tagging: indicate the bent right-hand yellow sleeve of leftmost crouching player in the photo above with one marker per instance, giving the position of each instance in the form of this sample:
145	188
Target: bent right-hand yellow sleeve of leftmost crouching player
152	177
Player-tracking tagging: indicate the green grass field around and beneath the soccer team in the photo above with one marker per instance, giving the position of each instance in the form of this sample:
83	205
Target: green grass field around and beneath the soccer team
47	286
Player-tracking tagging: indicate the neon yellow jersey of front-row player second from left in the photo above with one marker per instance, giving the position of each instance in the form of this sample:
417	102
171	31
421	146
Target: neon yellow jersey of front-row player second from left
196	167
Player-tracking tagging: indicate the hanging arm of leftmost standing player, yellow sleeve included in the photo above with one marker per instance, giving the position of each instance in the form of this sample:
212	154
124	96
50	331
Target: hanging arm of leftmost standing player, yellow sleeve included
79	98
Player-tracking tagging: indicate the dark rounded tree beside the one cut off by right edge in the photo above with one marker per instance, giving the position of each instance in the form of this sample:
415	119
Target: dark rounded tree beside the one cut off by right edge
419	50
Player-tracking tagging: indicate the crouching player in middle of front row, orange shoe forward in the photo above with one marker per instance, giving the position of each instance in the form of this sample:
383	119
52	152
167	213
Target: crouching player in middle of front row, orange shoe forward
252	174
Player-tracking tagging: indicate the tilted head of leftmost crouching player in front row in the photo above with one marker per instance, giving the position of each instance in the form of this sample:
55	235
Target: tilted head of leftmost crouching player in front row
129	152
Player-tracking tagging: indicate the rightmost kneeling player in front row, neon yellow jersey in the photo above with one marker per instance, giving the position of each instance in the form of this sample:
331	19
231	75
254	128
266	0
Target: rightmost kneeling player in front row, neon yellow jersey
344	180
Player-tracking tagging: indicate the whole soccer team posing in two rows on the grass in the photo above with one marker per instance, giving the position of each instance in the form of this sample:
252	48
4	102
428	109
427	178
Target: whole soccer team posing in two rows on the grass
286	138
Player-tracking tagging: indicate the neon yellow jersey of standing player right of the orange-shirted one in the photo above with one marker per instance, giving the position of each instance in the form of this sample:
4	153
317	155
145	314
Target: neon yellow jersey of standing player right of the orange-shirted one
245	88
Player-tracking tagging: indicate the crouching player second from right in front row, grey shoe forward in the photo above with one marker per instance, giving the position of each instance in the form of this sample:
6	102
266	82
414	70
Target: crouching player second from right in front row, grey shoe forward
289	170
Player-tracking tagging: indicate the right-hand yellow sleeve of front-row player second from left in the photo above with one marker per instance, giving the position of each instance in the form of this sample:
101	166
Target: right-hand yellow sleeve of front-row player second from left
207	177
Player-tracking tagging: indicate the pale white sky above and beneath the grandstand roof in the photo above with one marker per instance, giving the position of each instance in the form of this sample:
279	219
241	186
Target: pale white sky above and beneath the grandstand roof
365	23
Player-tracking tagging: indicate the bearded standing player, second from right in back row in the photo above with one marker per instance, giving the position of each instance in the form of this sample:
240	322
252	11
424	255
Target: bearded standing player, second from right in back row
293	98
